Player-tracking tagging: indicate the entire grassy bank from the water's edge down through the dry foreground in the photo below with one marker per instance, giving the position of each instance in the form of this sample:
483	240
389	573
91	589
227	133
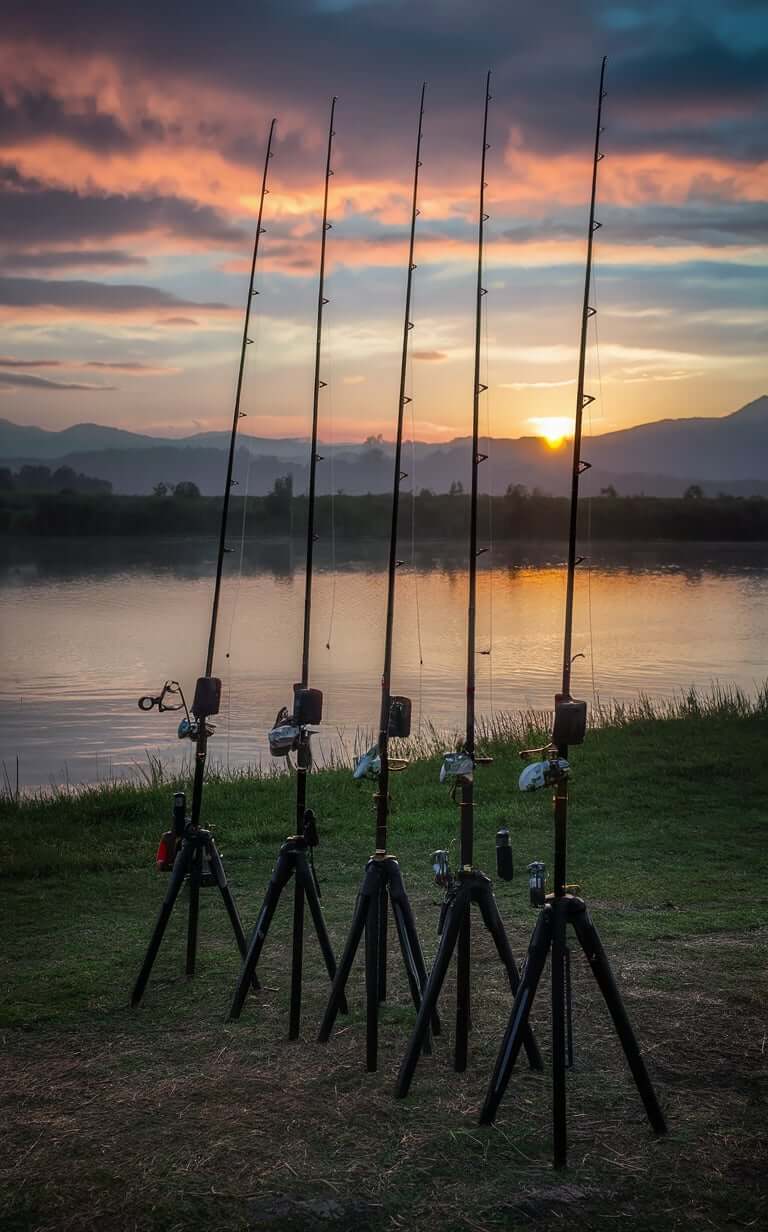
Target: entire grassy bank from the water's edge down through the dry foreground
168	1118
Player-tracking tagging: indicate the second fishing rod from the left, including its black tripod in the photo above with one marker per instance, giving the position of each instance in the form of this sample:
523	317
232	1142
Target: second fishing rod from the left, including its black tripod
294	730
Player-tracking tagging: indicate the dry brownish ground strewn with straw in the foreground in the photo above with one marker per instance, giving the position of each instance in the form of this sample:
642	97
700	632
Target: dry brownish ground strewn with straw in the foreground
170	1121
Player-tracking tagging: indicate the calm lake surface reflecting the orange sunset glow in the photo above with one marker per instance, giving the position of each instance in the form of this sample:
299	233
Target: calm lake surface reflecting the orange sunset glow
88	626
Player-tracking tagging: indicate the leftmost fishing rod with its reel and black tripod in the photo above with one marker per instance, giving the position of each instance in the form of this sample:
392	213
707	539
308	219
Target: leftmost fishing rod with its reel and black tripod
188	847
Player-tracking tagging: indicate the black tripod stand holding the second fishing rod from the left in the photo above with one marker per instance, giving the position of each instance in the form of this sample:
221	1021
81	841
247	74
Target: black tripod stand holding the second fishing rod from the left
294	861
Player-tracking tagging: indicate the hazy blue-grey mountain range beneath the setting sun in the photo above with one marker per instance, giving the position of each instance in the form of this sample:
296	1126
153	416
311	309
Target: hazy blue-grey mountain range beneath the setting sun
728	454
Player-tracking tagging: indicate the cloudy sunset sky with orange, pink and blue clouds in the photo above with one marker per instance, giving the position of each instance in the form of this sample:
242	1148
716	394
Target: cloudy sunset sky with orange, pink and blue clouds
131	148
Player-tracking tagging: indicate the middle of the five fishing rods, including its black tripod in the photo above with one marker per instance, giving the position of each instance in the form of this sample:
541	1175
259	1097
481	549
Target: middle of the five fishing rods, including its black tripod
383	881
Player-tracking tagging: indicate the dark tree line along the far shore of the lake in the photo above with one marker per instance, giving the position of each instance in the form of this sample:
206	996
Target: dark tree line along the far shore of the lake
518	516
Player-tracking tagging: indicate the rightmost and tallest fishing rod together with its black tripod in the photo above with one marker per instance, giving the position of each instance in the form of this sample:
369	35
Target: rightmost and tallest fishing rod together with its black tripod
563	909
